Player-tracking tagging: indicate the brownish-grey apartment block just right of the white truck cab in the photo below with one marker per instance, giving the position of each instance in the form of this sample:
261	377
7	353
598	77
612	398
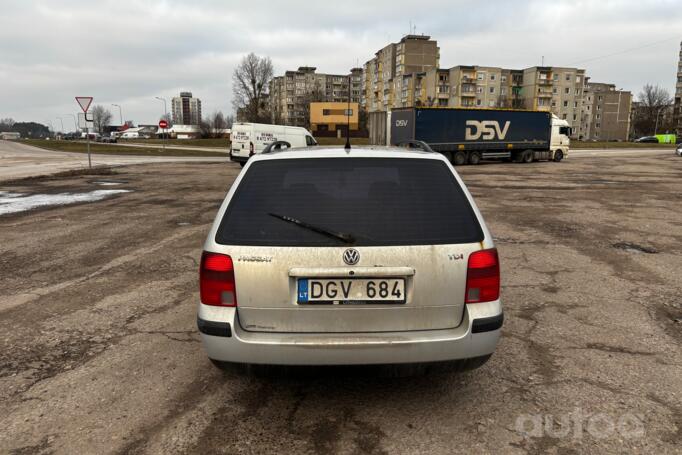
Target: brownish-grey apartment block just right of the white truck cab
605	114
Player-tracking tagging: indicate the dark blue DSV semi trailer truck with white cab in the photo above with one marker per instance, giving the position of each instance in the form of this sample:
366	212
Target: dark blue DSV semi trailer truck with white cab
469	135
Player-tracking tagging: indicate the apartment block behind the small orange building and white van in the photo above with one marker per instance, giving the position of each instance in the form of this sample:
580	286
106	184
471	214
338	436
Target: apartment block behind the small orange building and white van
292	93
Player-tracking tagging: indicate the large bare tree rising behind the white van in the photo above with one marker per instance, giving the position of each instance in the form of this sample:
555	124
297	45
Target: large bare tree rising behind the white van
250	88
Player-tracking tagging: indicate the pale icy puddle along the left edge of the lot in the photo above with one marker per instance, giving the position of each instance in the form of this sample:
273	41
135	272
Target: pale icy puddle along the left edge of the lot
19	202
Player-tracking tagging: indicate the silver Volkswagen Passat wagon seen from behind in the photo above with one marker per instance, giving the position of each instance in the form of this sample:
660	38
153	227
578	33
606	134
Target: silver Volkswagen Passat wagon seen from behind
371	256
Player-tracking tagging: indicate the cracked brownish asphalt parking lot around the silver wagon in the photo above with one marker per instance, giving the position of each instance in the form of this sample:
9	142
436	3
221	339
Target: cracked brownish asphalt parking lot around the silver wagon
99	352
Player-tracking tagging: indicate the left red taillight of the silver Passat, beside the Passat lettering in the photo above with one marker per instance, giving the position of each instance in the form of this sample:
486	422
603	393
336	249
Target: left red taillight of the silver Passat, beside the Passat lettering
216	280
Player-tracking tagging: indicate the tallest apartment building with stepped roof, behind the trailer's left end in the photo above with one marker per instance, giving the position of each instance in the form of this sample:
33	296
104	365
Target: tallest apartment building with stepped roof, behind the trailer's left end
393	72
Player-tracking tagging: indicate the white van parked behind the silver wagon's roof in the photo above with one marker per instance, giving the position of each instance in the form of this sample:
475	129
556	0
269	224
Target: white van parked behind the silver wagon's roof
249	139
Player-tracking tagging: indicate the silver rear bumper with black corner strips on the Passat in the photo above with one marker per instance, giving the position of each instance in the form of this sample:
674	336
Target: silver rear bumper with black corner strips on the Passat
476	336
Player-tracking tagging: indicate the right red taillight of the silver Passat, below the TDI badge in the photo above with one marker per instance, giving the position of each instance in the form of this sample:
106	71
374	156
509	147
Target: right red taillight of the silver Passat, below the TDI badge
483	277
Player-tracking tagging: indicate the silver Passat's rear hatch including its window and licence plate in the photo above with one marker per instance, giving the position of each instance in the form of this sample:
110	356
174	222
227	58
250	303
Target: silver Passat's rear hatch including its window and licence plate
349	245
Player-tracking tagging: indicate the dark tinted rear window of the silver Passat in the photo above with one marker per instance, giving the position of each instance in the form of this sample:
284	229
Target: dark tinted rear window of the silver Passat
377	201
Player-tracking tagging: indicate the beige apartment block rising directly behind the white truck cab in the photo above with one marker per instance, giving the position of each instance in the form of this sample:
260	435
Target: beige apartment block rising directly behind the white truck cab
555	89
